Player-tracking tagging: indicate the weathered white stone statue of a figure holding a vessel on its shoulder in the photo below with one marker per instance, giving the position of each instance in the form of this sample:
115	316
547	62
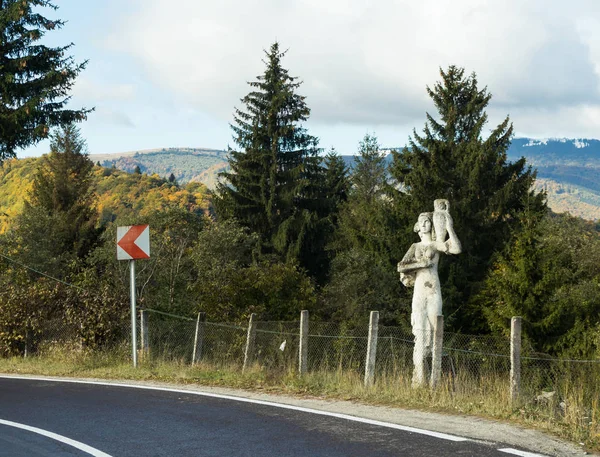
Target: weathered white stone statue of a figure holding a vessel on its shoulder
419	268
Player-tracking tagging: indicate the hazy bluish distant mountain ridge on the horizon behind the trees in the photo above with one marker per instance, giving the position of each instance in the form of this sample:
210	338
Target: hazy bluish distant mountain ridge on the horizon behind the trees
568	169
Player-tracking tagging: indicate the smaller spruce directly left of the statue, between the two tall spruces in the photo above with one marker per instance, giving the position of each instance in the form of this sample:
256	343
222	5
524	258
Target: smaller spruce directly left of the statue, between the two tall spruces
363	276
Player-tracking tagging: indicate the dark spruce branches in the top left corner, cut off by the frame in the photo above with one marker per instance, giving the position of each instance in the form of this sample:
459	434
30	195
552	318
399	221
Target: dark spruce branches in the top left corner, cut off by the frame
34	79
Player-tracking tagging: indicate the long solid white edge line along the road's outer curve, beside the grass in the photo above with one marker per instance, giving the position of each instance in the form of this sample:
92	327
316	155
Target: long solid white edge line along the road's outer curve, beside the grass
420	431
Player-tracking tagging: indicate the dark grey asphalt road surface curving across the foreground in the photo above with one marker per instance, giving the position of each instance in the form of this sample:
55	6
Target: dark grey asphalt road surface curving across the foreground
122	421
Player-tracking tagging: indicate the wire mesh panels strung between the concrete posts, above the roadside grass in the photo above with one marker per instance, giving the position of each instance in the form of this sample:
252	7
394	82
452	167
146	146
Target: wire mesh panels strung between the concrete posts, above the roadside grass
468	362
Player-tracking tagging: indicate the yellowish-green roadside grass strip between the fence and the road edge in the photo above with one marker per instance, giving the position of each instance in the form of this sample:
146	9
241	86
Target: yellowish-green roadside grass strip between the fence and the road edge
576	420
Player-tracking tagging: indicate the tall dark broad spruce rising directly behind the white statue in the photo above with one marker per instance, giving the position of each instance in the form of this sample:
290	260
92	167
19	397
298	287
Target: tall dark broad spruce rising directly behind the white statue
451	159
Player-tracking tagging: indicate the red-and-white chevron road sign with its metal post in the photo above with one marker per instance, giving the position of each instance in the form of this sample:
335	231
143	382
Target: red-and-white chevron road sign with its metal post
133	242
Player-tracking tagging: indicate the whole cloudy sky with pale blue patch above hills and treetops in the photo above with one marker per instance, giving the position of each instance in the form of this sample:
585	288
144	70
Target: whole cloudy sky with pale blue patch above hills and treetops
164	73
